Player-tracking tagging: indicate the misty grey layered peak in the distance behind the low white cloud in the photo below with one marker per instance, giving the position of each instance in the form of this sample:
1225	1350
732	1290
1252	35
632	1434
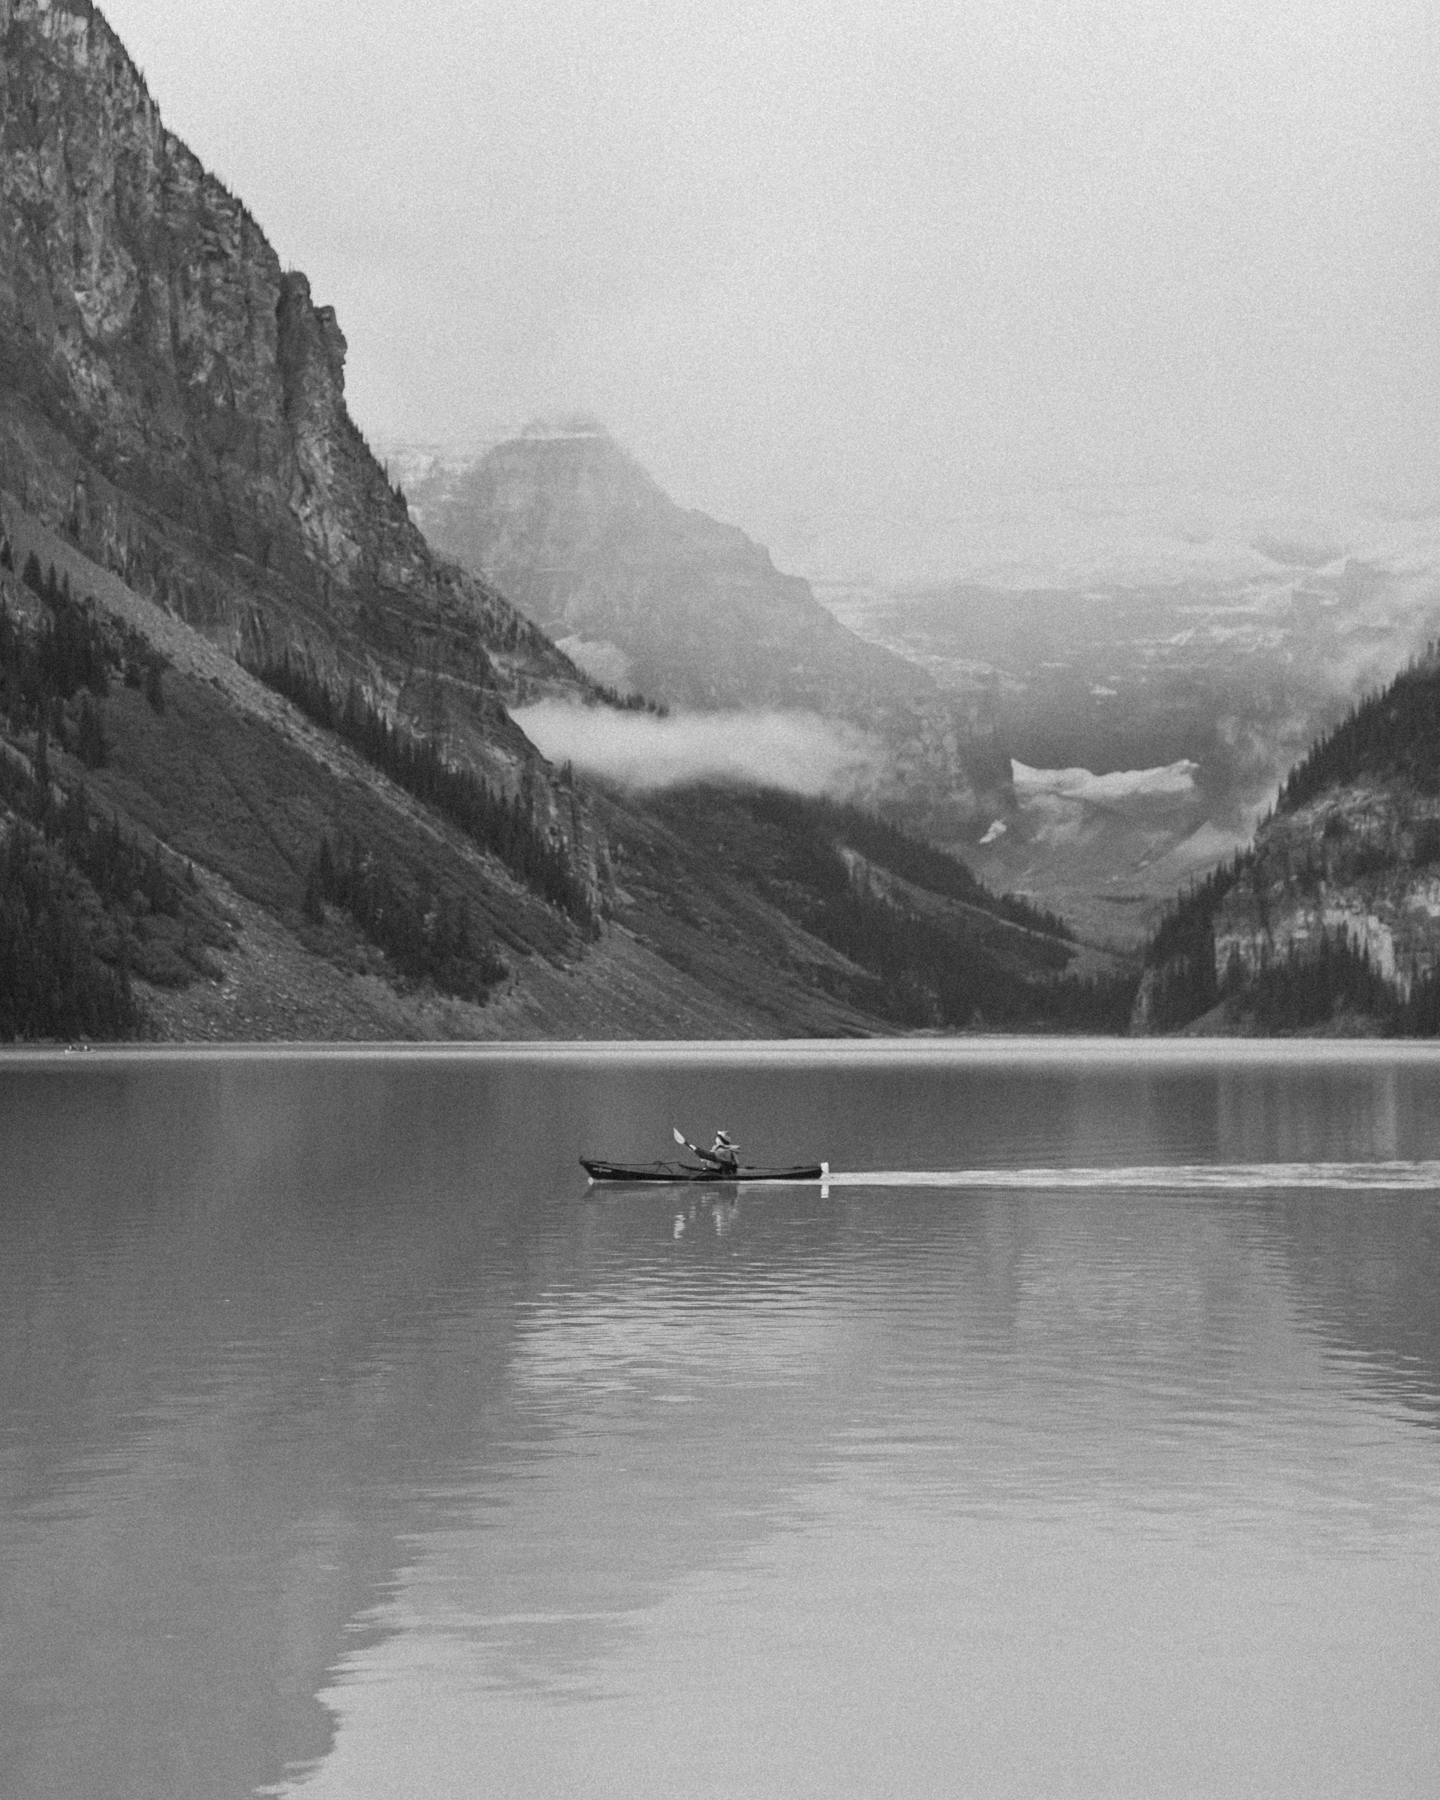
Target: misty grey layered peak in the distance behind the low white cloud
672	604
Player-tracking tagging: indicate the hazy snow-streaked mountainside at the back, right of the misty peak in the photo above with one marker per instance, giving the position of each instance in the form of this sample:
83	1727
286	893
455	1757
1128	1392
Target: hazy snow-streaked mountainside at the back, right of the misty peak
1218	681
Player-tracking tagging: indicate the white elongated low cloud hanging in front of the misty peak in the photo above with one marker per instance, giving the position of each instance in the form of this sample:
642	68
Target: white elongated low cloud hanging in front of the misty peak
796	751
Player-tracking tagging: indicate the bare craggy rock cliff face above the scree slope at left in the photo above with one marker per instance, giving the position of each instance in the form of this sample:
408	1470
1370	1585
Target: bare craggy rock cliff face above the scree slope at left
174	402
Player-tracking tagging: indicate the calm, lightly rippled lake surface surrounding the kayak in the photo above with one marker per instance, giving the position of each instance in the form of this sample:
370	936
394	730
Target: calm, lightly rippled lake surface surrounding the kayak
1081	1439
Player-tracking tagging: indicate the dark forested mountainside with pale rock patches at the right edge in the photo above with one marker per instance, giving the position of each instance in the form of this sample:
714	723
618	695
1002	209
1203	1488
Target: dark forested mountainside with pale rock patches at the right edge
1331	921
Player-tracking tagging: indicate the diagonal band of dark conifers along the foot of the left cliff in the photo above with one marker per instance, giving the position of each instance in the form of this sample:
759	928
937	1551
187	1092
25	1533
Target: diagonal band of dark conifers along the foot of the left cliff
503	827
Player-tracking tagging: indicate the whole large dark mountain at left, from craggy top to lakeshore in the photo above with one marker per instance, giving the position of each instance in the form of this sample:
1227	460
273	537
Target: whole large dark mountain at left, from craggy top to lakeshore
258	768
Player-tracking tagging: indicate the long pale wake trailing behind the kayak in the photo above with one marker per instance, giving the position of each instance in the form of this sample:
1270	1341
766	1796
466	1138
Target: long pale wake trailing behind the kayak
1171	1178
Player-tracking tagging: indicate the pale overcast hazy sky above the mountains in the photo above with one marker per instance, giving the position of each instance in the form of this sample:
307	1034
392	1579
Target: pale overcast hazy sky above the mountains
836	255
